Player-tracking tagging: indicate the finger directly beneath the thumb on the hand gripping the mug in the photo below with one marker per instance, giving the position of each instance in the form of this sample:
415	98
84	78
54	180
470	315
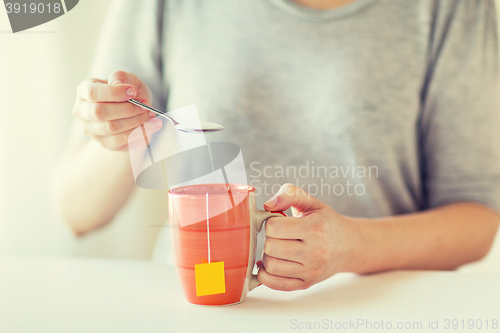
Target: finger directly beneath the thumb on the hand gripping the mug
286	227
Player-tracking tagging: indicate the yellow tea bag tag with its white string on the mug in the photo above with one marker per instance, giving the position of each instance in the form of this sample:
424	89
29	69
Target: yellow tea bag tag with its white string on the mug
209	277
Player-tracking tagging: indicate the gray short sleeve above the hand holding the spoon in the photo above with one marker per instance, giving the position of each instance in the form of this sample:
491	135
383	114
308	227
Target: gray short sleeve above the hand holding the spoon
131	40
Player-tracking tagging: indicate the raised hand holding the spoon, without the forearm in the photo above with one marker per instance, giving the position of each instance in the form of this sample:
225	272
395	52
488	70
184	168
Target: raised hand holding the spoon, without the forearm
106	116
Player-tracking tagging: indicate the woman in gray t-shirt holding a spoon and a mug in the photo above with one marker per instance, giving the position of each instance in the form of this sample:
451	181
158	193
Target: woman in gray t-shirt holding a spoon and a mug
406	89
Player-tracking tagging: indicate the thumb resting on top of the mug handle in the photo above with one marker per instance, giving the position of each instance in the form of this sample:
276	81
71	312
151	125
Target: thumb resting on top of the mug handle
290	195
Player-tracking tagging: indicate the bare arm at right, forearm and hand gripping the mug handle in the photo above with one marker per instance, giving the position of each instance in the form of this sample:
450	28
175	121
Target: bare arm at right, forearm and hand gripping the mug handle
318	242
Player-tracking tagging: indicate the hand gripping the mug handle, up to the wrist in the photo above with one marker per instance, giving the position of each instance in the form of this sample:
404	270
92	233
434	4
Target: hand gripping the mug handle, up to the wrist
307	248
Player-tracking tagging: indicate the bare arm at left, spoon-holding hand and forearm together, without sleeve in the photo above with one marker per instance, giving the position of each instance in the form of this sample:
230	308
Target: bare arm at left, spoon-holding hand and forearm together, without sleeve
93	179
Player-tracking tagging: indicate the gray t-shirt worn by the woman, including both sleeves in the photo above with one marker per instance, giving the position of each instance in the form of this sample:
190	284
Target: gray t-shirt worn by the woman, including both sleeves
380	107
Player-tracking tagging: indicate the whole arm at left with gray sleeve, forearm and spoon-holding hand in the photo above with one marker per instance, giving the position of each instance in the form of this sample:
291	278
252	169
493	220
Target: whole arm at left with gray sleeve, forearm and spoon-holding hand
93	178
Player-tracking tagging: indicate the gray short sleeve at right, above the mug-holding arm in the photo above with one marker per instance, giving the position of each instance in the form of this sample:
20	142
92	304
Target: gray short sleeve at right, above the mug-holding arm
460	119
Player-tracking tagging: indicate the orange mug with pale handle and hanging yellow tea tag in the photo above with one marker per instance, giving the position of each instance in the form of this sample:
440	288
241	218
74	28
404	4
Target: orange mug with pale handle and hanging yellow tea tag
214	235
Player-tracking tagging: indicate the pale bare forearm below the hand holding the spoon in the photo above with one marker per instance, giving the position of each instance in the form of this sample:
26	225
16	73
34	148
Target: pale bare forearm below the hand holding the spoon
90	185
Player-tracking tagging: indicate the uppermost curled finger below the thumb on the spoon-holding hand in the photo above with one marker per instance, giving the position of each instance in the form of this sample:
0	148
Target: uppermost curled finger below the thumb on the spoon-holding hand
93	90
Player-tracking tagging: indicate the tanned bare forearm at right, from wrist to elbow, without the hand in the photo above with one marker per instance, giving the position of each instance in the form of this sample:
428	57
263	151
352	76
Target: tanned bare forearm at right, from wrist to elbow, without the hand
439	239
